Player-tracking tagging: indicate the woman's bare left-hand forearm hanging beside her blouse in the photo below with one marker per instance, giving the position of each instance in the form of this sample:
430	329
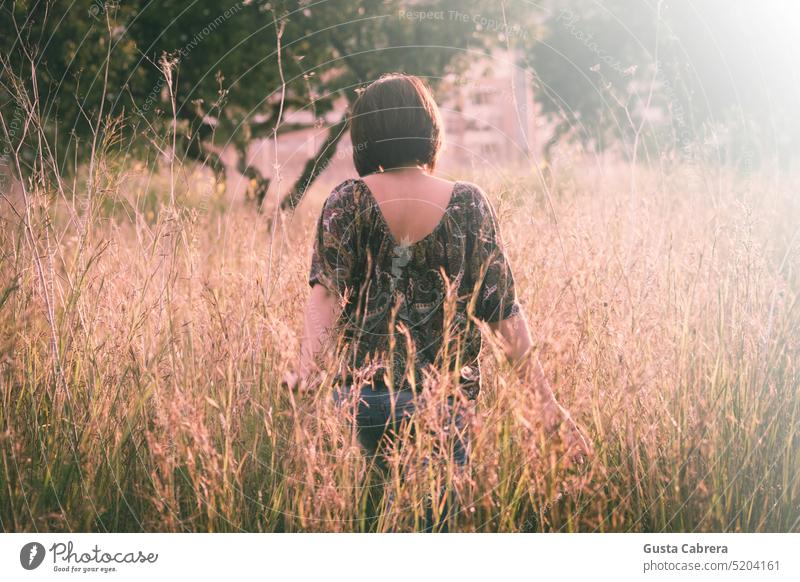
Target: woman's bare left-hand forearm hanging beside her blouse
320	315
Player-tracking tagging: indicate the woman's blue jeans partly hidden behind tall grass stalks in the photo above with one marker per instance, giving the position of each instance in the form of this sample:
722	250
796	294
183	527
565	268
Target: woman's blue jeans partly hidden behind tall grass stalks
378	423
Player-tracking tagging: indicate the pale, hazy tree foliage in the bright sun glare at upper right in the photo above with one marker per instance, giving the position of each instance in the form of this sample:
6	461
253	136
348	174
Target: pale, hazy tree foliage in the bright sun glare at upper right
671	75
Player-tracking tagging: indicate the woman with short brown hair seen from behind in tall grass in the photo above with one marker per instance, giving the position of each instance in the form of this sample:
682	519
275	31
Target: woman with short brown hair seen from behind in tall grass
406	266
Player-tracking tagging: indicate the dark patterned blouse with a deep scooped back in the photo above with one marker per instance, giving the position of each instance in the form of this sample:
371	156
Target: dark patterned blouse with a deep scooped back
410	311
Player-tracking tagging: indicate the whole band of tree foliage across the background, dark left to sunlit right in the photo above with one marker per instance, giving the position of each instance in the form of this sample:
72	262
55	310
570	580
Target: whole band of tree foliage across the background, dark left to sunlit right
610	73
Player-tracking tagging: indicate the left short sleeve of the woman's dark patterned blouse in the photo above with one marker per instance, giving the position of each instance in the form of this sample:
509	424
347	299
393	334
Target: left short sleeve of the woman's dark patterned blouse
333	252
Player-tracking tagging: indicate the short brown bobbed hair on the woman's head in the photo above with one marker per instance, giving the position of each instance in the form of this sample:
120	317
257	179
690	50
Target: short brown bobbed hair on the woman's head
395	123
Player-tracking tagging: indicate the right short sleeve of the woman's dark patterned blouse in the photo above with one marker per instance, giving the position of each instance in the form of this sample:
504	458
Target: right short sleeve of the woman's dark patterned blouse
496	298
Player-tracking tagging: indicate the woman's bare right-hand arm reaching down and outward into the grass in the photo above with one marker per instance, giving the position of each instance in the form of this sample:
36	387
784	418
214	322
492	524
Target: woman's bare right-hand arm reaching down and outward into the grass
517	345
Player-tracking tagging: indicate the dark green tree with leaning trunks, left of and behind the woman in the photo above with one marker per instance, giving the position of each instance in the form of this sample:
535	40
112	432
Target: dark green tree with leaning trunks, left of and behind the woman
209	71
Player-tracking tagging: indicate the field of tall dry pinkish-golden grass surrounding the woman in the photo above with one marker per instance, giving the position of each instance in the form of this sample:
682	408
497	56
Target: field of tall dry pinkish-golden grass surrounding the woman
142	343
